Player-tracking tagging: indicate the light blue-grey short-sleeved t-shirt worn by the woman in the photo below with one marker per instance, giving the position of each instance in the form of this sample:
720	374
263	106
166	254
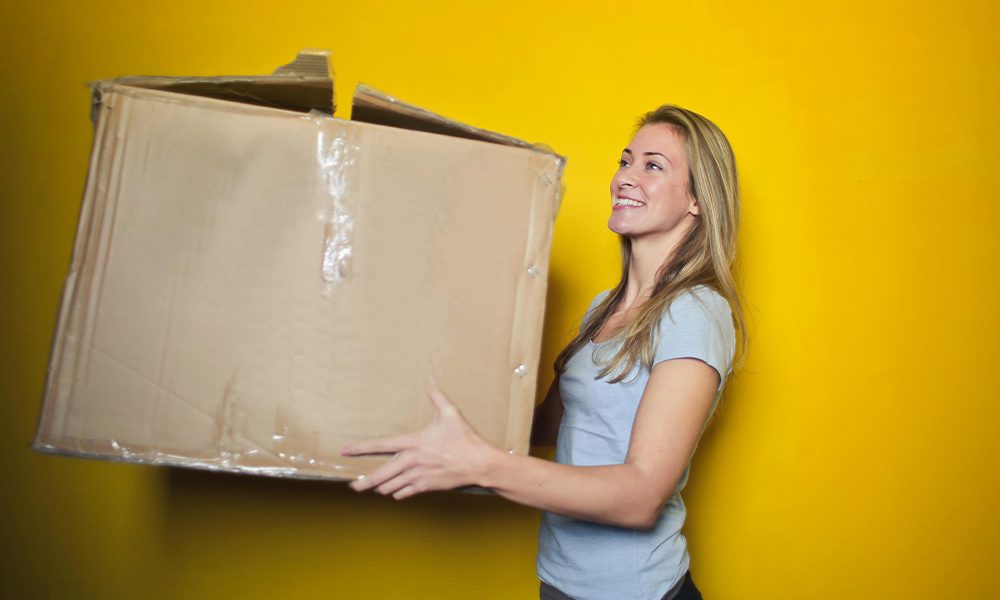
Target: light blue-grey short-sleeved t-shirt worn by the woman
592	561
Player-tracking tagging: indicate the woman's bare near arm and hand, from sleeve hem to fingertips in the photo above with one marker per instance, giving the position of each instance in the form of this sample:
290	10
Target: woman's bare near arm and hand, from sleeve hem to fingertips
449	453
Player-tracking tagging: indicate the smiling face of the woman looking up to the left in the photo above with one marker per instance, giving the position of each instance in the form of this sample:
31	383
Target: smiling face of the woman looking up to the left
649	192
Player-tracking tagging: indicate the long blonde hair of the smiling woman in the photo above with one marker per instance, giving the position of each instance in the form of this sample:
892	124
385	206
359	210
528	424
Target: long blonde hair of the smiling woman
706	256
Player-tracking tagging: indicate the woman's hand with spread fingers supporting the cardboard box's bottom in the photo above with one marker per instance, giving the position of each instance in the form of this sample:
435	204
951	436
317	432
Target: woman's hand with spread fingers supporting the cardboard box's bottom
446	454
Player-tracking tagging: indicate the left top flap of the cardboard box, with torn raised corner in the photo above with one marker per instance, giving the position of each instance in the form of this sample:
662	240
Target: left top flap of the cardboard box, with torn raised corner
303	85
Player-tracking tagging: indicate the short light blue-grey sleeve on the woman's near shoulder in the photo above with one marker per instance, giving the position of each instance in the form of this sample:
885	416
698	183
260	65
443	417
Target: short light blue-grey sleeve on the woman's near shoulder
698	324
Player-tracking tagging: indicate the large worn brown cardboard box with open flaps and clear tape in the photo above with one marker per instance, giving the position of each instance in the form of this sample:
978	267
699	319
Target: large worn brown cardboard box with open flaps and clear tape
256	283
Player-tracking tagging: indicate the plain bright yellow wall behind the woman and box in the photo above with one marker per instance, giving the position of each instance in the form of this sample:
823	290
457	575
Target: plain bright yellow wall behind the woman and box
857	453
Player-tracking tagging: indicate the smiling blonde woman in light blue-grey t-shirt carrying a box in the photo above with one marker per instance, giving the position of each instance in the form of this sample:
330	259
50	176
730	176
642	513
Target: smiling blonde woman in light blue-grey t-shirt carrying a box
635	390
